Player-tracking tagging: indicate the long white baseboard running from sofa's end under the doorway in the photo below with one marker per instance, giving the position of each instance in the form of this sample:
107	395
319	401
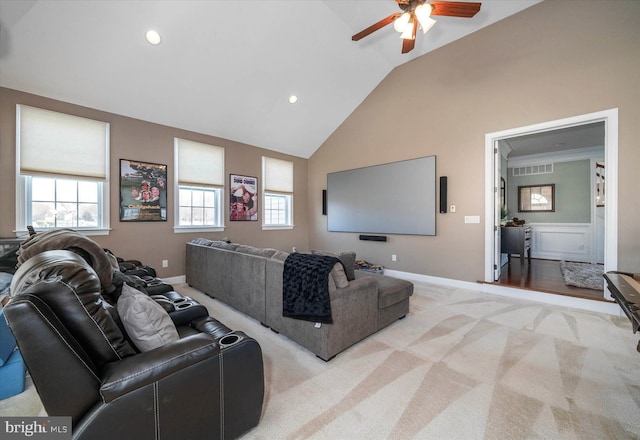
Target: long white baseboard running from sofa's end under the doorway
530	295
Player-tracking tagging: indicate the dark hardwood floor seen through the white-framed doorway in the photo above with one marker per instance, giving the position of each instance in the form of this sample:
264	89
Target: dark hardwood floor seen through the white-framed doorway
543	276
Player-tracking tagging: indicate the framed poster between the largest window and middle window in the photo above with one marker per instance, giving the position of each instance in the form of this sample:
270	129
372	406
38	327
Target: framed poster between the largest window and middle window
143	191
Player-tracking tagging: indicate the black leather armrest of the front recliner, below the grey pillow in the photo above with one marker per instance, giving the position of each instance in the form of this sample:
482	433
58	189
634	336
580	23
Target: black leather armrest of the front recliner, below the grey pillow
134	372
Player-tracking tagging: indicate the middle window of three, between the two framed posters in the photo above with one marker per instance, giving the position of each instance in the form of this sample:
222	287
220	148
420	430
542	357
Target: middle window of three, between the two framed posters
200	185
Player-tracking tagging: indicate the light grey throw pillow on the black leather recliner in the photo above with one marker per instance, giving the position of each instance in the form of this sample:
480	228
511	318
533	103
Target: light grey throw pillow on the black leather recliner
147	323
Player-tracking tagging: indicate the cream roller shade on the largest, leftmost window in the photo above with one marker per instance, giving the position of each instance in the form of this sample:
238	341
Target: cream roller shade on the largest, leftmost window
52	143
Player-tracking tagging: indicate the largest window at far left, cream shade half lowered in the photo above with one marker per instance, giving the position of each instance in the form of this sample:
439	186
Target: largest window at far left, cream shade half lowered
62	171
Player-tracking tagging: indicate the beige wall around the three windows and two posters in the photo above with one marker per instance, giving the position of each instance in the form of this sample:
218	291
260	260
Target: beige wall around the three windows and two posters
133	139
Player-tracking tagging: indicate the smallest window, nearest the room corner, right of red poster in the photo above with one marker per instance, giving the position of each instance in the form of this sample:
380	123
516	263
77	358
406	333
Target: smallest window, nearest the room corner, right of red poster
278	193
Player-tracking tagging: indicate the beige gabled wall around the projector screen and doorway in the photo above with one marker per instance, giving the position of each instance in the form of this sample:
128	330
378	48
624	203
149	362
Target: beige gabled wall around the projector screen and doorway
555	60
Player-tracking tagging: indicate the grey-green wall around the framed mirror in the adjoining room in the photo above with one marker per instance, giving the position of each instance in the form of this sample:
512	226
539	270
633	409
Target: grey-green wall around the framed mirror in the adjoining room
572	193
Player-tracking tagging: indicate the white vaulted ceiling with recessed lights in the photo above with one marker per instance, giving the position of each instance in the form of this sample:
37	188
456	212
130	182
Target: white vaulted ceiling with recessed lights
224	68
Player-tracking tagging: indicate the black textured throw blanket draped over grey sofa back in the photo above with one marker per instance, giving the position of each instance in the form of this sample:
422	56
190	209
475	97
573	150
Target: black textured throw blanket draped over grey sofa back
305	287
